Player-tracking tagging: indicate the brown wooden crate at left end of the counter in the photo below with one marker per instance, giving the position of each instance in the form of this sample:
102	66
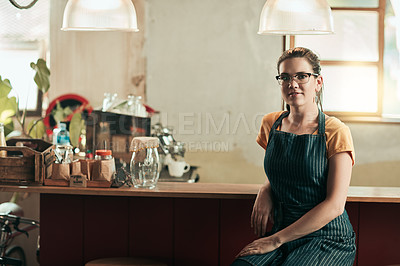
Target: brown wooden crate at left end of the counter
29	164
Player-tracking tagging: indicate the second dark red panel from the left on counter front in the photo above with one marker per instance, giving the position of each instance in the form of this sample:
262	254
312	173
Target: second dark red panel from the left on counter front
106	227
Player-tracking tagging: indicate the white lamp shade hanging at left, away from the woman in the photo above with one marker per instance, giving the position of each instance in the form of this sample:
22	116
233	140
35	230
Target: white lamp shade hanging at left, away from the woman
103	15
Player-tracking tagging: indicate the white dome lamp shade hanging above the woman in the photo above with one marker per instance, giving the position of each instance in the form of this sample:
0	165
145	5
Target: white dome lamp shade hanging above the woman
291	17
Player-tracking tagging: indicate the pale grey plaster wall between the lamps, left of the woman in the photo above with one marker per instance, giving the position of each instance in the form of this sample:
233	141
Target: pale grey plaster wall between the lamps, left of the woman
212	77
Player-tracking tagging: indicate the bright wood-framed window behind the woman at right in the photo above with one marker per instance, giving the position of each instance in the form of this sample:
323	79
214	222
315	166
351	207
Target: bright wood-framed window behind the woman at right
360	62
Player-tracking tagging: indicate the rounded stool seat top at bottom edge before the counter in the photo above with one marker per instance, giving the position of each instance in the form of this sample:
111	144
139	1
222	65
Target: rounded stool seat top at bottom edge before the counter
124	261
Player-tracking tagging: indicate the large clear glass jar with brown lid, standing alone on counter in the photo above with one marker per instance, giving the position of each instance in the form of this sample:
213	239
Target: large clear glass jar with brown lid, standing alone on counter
145	163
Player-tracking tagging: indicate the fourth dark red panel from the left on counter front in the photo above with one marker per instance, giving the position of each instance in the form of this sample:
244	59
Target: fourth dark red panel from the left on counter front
196	232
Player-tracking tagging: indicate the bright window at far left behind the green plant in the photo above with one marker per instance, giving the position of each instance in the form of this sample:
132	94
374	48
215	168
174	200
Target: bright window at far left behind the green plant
23	39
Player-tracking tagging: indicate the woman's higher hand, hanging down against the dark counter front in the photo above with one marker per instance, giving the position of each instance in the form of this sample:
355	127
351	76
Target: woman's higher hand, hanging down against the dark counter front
262	211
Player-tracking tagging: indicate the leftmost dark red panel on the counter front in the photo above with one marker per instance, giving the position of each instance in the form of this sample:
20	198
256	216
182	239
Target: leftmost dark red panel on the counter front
61	230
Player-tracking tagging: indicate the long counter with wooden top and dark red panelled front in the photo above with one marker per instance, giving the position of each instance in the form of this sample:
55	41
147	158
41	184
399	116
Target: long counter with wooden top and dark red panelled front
187	224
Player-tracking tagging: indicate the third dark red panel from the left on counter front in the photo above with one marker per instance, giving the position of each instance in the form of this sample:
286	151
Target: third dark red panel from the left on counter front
151	228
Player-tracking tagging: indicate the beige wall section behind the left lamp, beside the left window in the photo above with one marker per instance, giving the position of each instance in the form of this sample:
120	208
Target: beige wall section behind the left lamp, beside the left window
91	63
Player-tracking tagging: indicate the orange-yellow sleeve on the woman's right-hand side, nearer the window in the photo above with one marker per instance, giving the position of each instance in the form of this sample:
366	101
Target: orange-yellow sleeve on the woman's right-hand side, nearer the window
338	138
